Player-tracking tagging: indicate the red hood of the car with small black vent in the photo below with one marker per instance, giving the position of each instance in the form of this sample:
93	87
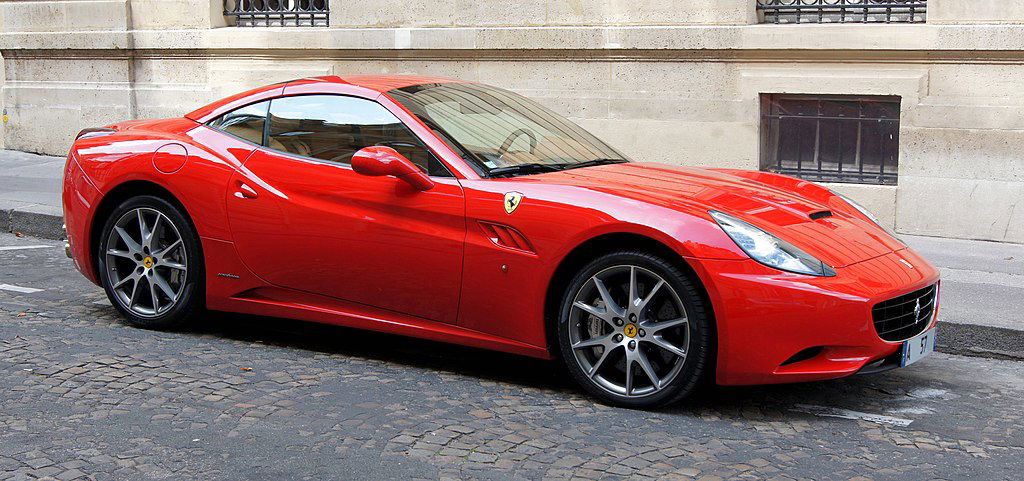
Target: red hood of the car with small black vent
839	240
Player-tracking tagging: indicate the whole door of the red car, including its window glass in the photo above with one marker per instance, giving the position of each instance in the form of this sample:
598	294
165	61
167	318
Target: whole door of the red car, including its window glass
303	220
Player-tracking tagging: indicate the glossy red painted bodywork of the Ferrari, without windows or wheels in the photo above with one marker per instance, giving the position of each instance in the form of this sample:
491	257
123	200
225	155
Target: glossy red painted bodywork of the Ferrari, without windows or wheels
296	238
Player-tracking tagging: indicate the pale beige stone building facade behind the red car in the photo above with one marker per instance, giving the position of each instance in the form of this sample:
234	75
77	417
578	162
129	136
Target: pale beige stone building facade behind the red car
934	96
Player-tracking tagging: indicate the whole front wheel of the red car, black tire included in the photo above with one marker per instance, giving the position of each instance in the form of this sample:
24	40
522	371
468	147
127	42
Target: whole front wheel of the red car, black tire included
634	332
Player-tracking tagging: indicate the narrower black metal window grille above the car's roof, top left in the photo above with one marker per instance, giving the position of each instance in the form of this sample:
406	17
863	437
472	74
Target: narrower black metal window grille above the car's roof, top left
278	13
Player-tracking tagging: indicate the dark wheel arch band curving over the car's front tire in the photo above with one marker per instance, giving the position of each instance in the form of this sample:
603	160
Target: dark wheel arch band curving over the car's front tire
604	244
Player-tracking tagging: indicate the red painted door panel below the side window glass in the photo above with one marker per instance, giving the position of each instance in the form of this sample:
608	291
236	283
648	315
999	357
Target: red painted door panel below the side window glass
325	230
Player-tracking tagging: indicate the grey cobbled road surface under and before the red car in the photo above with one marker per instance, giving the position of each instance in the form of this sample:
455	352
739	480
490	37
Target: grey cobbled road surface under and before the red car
242	398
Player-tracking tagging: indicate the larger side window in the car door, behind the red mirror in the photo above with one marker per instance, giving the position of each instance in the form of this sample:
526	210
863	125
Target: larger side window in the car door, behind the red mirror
334	127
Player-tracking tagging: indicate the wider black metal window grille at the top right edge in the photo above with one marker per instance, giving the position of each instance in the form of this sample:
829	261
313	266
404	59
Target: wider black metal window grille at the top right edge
843	12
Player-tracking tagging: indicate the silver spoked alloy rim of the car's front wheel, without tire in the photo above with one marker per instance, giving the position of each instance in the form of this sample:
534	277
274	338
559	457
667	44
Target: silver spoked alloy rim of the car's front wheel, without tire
629	331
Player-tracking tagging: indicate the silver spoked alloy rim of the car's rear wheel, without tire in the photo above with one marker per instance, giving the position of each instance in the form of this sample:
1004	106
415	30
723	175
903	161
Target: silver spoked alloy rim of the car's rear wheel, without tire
147	264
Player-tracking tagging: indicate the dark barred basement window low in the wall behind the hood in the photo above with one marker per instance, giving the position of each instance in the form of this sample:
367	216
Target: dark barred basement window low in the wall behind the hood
832	139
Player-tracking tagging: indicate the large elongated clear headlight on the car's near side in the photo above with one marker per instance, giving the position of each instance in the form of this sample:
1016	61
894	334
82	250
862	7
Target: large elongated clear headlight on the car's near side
769	249
